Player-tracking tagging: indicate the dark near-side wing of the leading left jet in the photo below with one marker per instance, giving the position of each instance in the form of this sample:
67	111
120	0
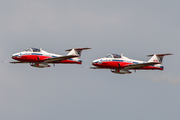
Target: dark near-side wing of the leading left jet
59	58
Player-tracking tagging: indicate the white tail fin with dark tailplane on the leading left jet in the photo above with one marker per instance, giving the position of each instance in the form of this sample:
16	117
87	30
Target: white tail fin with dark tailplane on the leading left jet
76	51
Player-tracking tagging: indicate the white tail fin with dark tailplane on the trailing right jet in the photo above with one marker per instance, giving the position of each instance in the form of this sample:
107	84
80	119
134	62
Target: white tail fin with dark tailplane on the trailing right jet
157	57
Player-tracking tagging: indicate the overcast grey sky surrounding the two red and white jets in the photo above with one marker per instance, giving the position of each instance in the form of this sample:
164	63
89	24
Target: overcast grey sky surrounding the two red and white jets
135	28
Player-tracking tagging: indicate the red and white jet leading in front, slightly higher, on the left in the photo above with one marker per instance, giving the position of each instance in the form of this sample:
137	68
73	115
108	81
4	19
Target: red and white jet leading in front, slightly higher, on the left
40	58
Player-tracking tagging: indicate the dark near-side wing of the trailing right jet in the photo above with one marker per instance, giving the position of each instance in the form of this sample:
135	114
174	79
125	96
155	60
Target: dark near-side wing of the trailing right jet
133	66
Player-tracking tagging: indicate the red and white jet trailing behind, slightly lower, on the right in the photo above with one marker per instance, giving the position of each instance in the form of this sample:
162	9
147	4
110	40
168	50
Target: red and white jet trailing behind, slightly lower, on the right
121	65
